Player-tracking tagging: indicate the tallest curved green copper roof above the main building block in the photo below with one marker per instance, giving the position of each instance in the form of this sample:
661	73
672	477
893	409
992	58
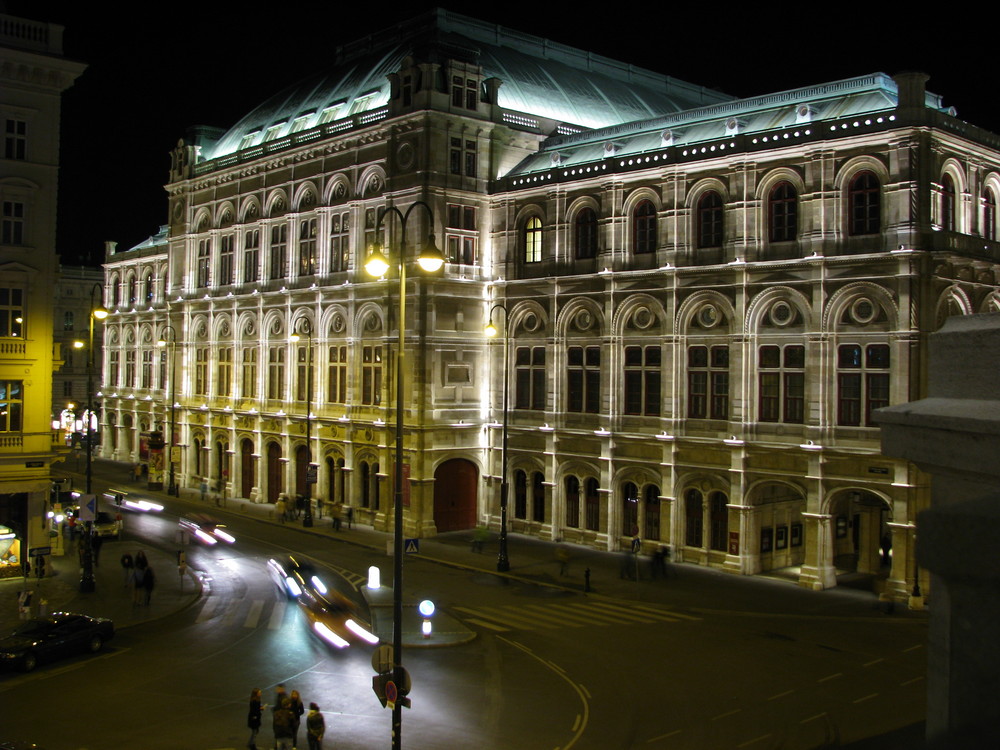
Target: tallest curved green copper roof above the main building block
539	77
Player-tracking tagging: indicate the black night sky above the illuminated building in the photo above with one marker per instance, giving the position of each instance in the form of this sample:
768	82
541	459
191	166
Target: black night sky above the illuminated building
154	70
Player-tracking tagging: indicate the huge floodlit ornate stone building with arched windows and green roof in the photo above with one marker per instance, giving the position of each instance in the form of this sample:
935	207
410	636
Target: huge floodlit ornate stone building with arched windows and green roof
701	300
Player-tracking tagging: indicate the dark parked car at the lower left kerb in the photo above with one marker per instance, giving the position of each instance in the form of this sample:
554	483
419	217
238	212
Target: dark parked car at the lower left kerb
53	637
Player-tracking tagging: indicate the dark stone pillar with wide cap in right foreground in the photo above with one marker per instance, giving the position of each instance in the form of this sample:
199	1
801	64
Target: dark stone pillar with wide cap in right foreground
954	434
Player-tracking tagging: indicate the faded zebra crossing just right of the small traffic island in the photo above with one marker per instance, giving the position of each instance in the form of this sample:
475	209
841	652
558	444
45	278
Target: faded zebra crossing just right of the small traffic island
590	613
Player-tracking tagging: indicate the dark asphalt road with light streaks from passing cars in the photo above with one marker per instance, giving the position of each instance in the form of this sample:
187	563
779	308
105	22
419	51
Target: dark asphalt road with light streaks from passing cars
551	667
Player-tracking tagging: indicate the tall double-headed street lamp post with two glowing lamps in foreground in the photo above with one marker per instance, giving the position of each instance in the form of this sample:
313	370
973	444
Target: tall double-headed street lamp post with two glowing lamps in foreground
430	260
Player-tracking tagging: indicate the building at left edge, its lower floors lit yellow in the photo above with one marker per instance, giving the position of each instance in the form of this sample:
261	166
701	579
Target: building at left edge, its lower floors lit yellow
33	75
